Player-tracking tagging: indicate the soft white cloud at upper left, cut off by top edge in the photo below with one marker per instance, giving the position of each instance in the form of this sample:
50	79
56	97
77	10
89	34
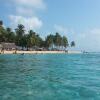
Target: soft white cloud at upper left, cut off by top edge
27	7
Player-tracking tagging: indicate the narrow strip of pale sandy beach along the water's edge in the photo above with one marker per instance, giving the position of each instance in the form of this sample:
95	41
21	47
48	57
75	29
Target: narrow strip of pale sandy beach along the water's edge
40	52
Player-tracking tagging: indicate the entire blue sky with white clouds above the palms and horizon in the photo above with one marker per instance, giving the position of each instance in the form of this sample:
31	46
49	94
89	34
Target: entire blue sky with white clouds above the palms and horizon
79	20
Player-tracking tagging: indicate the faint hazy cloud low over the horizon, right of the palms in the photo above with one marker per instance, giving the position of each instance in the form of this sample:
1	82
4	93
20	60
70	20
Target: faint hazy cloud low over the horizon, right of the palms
89	40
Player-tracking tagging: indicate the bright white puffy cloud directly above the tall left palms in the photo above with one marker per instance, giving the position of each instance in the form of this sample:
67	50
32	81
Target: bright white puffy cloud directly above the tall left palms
29	23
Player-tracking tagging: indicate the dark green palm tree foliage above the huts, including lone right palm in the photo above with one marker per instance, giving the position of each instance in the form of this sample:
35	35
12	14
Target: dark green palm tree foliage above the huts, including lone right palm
31	39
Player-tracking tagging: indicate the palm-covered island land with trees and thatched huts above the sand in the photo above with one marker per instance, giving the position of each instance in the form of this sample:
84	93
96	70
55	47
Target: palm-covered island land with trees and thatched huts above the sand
28	40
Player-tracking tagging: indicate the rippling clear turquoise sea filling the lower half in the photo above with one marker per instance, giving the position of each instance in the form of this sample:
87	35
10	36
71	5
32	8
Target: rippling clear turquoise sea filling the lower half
50	77
